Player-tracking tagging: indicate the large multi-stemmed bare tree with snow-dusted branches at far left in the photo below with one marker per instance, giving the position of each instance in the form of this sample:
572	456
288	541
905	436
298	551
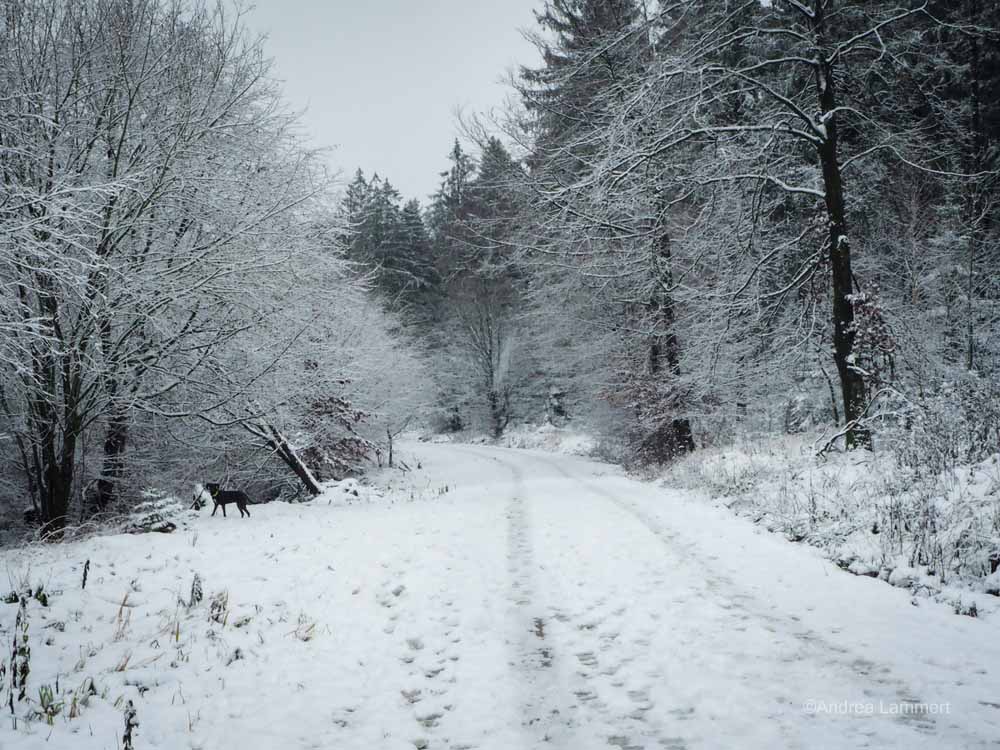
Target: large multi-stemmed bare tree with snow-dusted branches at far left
146	157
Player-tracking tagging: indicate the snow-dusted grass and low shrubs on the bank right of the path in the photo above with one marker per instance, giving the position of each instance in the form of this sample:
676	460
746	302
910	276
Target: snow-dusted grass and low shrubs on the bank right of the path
934	532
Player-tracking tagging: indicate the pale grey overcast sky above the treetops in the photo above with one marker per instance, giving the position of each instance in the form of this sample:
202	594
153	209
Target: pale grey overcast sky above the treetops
382	78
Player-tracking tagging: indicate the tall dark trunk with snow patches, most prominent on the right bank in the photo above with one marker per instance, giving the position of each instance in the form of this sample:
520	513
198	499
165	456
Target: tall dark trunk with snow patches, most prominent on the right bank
852	384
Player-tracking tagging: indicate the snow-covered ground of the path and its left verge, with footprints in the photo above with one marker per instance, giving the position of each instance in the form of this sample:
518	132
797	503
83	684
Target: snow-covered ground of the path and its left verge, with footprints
493	599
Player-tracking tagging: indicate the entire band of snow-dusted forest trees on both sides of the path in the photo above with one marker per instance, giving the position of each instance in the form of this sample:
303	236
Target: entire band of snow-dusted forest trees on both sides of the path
694	217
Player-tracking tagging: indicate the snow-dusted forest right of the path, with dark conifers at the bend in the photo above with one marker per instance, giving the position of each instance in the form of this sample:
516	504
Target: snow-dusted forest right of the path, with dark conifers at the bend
714	211
